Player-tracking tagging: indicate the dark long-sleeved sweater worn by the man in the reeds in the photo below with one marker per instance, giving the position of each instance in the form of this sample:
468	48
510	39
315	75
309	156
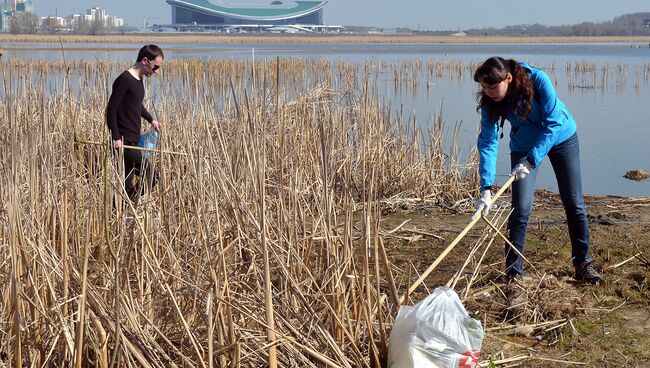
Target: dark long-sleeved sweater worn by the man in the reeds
125	108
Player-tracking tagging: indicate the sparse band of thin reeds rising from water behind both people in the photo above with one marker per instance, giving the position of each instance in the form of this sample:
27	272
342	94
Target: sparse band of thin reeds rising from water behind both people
408	77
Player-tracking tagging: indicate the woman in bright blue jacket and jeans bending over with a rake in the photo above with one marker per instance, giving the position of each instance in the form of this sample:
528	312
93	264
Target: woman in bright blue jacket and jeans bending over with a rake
541	126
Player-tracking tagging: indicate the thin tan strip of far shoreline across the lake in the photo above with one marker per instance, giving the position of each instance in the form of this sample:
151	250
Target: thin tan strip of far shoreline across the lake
163	38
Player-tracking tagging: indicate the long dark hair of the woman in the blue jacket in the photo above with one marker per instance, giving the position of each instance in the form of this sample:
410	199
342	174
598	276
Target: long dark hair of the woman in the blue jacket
520	91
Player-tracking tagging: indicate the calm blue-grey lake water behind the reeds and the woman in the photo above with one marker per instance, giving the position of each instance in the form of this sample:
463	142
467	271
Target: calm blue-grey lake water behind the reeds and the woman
613	119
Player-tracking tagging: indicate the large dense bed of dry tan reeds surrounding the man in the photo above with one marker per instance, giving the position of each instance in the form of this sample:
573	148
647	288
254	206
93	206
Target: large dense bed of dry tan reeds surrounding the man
260	246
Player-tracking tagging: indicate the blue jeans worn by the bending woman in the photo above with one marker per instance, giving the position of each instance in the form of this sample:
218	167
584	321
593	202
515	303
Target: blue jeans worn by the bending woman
565	159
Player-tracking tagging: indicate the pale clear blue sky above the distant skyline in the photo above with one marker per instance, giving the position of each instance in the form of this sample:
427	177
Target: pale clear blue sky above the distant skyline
428	14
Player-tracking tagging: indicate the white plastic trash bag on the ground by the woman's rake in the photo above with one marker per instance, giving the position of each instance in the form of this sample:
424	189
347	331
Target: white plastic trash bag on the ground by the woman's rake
436	332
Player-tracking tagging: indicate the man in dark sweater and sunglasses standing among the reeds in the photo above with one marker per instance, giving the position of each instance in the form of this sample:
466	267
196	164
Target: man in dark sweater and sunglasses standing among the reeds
124	113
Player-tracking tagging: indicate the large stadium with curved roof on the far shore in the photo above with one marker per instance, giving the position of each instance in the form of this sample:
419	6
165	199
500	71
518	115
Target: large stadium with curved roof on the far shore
274	13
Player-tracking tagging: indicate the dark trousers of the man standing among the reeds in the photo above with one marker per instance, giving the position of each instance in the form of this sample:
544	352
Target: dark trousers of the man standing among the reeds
136	164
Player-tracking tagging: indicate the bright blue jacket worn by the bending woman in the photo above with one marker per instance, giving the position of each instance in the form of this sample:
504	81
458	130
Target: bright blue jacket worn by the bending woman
549	123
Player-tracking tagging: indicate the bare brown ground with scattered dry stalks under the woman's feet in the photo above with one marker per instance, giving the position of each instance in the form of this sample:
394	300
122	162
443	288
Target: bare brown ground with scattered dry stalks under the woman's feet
562	321
